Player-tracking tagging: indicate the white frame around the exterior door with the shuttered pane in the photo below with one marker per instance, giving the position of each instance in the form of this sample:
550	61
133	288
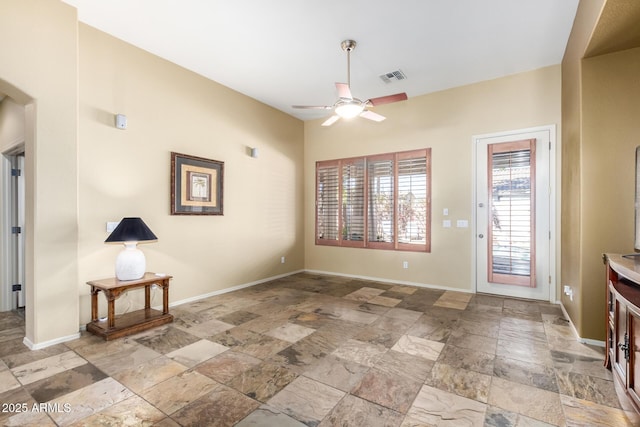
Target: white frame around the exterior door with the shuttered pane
552	202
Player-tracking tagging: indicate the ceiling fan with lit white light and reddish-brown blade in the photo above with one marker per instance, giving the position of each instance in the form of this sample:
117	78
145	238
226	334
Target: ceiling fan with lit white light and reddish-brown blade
347	106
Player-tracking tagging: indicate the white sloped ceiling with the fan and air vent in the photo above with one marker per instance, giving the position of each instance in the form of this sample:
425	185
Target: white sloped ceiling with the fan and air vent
285	52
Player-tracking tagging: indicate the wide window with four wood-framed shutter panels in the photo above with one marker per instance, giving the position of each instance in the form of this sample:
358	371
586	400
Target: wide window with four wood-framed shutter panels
379	202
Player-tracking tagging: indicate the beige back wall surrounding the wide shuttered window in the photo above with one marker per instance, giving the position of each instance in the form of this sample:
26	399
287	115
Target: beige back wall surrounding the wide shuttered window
446	122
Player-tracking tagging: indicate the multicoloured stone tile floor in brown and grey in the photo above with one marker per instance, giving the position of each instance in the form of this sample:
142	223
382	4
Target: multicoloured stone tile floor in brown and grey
319	351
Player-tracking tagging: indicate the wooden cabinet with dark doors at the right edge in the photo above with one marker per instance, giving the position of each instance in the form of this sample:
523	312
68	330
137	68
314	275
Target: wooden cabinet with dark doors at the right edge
623	326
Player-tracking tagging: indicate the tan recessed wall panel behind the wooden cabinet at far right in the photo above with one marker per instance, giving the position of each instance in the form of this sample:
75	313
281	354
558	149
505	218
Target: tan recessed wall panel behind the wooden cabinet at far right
611	133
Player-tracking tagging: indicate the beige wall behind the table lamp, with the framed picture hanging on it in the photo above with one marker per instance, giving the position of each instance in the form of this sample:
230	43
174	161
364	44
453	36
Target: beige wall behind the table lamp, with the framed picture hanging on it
127	172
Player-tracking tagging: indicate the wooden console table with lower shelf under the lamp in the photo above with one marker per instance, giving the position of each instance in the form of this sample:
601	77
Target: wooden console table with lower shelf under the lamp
135	321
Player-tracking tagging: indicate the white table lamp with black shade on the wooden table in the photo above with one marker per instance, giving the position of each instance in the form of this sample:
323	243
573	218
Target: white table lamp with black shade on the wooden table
130	263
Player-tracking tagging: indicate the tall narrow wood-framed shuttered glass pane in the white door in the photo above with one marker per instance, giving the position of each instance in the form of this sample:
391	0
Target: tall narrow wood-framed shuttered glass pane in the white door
511	254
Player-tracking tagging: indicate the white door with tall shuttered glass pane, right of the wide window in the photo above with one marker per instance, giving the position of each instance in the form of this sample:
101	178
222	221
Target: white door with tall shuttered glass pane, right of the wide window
513	214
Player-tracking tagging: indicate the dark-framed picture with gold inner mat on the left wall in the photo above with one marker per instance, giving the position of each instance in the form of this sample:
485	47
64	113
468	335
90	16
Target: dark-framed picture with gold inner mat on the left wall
196	185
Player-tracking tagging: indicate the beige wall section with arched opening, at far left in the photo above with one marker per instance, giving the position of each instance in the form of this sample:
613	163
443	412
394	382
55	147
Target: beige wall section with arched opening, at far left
38	41
